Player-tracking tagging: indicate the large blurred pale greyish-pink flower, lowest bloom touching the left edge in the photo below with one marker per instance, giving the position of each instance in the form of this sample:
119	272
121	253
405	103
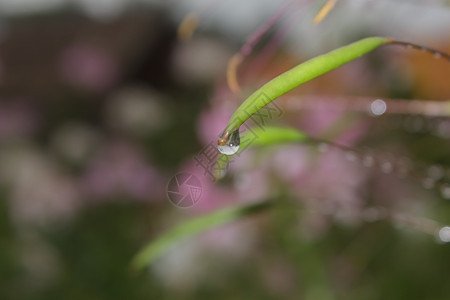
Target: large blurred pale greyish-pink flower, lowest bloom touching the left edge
40	191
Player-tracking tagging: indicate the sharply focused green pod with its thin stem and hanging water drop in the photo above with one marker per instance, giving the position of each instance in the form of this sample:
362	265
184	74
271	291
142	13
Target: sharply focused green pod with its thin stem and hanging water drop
228	143
